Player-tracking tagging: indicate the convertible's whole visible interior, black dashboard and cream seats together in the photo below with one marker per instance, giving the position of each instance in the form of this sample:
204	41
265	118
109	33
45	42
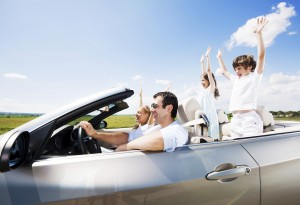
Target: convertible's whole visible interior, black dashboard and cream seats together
70	139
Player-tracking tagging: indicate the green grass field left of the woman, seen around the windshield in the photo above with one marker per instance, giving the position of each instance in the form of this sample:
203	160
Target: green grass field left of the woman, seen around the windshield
8	123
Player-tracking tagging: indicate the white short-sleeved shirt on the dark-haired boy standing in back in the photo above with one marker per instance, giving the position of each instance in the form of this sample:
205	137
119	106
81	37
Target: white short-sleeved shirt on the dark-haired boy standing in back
245	91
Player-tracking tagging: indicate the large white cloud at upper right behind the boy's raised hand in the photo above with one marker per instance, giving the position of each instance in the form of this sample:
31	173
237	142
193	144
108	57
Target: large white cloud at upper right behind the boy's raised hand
278	22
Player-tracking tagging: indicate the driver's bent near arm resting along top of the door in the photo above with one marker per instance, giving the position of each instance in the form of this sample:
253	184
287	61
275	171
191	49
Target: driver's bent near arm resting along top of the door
151	142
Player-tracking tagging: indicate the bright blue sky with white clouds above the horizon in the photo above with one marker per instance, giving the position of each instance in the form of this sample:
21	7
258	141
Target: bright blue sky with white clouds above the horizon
53	52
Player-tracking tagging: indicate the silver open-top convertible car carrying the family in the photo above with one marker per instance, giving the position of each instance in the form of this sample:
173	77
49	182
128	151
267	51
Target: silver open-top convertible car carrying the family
49	160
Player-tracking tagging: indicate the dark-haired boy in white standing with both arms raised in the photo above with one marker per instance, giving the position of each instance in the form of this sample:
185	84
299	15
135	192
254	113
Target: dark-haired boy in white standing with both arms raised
243	101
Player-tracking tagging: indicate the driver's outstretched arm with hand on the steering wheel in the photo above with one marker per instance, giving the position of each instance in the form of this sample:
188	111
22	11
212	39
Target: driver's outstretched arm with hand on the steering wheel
117	138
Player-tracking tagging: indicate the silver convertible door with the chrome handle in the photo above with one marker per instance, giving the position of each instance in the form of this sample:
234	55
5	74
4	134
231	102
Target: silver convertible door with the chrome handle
211	173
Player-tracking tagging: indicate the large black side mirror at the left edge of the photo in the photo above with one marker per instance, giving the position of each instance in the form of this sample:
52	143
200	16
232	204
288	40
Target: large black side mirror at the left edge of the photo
14	152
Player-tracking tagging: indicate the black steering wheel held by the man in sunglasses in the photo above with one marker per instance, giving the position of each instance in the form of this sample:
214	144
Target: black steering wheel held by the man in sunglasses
86	144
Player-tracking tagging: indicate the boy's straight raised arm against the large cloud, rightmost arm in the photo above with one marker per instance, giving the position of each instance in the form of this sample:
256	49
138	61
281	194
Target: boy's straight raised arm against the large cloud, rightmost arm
261	50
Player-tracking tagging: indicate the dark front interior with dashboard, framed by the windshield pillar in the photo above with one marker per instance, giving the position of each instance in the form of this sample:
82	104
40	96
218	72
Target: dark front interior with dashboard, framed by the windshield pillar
70	139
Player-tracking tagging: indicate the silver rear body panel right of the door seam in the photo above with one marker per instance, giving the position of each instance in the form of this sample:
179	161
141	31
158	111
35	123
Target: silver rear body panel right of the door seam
279	159
